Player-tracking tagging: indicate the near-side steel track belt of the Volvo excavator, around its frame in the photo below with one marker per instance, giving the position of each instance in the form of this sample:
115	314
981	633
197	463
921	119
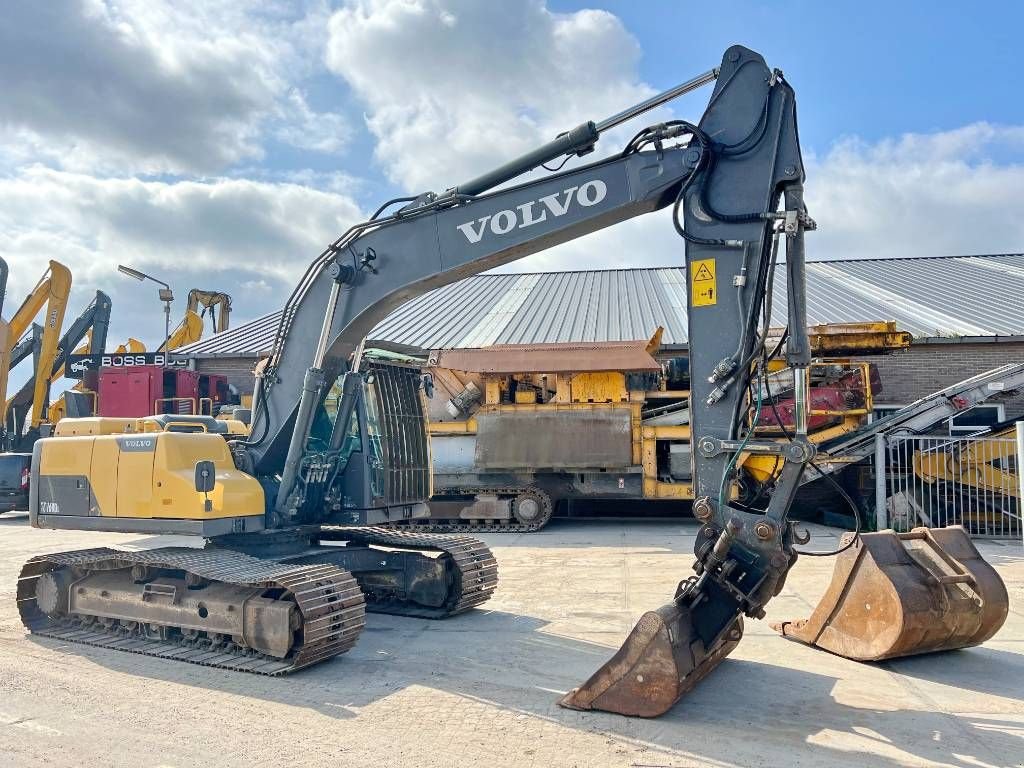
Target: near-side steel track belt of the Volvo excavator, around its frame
327	598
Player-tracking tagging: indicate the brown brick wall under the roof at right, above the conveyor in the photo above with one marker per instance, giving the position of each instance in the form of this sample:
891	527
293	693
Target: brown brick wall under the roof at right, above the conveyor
923	369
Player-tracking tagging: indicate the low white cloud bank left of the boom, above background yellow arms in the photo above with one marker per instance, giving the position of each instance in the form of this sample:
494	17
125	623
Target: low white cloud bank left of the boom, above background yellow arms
252	240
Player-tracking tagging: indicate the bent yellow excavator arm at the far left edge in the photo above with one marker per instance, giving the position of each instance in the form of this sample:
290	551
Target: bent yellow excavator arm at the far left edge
53	292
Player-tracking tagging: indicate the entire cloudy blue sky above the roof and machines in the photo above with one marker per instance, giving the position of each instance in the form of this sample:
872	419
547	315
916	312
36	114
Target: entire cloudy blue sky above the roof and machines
220	145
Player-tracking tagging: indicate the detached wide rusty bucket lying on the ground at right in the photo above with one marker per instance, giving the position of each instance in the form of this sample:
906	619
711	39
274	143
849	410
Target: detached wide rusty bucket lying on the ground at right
901	594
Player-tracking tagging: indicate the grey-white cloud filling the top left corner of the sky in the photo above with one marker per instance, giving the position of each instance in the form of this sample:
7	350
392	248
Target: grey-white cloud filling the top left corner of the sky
154	88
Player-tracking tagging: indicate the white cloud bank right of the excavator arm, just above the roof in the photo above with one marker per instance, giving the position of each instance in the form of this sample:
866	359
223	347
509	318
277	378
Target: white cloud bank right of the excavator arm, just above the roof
941	194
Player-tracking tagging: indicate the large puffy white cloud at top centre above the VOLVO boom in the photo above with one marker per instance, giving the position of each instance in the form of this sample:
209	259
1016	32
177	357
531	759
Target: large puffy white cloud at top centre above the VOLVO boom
454	88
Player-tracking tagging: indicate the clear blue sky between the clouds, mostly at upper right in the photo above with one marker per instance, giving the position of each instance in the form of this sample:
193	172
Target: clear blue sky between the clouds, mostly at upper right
875	71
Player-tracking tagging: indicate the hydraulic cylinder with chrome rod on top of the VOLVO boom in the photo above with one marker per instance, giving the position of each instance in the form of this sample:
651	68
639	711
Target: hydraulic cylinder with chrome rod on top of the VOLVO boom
580	141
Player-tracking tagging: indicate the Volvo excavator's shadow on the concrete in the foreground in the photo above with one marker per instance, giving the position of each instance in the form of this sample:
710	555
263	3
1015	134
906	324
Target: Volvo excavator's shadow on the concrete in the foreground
747	713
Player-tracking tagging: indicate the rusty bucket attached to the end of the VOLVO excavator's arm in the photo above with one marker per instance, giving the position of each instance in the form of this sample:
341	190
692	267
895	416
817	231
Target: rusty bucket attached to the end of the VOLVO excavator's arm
662	660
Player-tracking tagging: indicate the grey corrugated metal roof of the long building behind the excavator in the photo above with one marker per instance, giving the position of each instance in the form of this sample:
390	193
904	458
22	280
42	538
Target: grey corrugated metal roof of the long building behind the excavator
931	296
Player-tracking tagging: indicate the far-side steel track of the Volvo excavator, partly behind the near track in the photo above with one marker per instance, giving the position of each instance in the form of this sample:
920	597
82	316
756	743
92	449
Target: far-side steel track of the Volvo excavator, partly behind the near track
476	570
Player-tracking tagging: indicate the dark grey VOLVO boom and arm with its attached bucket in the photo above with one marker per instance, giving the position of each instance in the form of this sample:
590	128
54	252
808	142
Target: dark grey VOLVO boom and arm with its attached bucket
727	178
